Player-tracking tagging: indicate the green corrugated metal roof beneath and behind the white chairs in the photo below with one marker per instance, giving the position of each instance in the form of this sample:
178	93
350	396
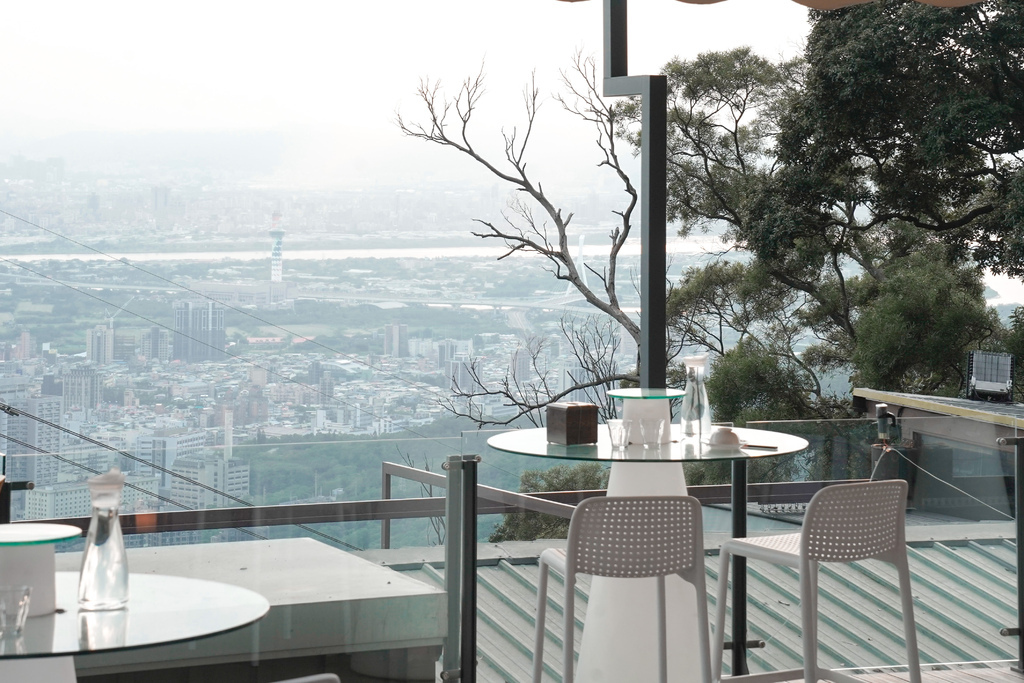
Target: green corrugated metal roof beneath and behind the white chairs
964	585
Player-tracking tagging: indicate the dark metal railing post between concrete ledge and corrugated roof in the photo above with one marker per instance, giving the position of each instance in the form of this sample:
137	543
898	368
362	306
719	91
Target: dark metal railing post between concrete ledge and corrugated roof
459	659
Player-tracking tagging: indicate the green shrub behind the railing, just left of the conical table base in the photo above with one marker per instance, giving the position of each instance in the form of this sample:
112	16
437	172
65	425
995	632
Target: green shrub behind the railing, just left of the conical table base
533	526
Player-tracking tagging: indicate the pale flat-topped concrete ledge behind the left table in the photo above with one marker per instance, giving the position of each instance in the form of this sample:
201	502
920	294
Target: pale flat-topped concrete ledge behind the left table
323	602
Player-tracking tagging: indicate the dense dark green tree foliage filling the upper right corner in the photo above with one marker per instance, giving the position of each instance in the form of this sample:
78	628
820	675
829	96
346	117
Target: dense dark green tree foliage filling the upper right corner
916	114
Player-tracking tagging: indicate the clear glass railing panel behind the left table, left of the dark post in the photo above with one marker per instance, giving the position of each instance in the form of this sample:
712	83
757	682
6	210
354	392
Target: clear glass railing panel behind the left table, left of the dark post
364	611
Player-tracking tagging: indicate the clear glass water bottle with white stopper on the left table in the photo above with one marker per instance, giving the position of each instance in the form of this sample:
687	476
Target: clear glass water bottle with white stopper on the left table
104	581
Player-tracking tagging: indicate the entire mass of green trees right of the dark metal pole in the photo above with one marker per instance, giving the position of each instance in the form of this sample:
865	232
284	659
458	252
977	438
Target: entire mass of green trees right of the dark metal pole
869	183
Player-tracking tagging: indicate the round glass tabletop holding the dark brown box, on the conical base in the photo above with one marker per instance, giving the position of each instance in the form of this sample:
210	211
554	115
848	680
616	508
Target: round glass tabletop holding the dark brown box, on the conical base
754	444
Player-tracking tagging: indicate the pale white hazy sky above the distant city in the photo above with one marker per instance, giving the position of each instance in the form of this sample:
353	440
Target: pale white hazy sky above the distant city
331	75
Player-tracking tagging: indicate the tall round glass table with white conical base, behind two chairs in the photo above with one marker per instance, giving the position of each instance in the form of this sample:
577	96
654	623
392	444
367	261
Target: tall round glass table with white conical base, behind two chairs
620	636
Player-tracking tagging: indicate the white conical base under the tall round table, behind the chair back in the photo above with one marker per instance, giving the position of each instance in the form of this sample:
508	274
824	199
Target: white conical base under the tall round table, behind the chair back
620	638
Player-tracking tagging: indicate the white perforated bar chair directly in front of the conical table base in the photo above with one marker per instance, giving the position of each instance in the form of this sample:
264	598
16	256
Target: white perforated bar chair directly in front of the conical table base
628	538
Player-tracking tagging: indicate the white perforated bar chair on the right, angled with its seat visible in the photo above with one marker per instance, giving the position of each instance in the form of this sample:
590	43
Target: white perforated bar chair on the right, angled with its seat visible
843	524
